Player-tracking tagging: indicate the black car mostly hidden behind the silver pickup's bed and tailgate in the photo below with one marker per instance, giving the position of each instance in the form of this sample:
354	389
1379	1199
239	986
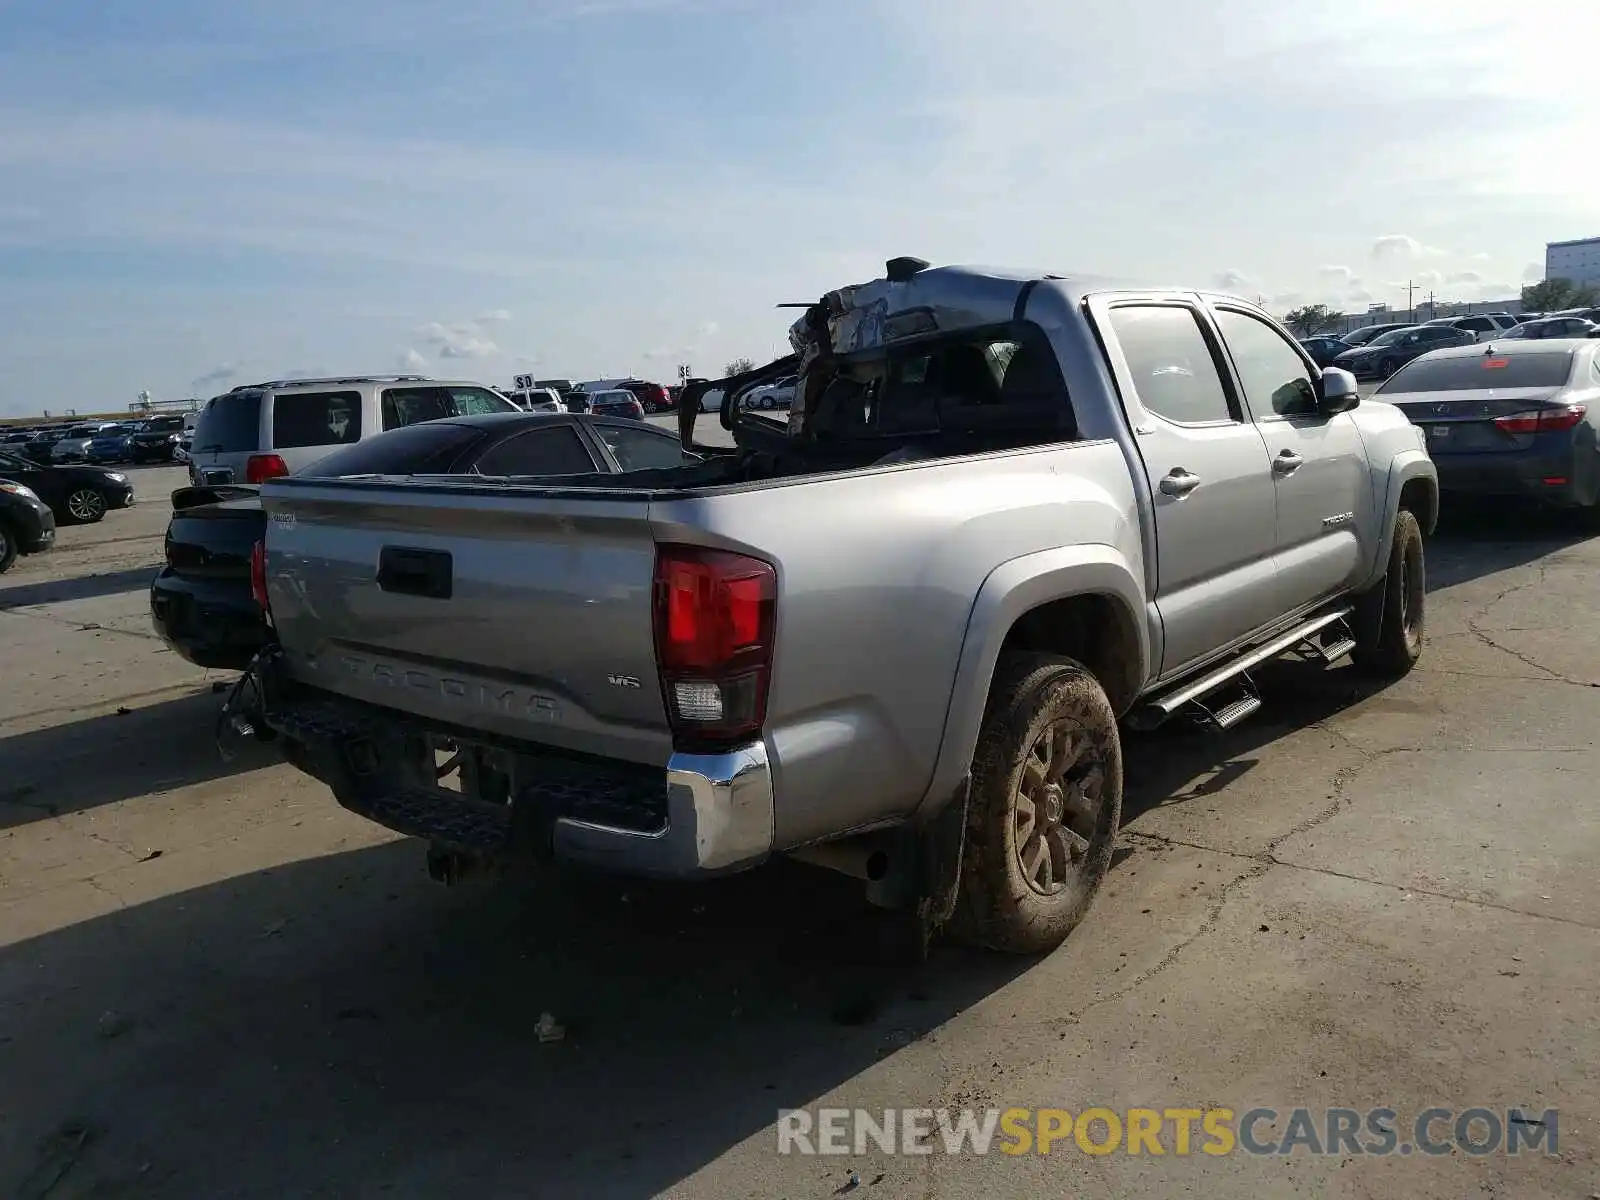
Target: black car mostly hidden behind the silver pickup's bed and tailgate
202	602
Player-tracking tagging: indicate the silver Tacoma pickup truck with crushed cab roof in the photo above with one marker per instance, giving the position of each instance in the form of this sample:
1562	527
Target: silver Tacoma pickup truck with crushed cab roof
895	633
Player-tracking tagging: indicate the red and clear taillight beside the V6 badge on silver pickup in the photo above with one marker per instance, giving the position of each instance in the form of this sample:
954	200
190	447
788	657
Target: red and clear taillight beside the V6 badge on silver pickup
714	615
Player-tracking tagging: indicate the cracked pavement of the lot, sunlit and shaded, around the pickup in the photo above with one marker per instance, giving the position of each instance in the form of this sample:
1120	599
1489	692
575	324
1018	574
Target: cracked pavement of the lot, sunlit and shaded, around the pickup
217	983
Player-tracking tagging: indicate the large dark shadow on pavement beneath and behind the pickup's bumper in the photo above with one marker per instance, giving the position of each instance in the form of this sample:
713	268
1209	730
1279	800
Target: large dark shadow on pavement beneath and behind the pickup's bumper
342	1026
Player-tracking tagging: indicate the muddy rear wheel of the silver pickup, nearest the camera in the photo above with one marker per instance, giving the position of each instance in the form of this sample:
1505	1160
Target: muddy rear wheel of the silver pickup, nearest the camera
1044	807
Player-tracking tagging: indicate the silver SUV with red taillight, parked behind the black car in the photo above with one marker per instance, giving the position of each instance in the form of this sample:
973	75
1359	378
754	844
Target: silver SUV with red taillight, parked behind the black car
263	431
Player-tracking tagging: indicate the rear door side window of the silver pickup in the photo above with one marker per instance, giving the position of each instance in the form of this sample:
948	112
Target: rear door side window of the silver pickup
1170	362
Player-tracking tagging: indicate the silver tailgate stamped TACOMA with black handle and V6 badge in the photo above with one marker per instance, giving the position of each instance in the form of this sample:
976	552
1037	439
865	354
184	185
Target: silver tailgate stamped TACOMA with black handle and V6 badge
521	612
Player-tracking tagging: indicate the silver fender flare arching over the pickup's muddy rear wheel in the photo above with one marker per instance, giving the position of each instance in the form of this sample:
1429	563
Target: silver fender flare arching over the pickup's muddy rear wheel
1010	591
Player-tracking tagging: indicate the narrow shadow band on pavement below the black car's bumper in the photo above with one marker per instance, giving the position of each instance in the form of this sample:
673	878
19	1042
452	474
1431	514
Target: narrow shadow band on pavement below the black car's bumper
118	756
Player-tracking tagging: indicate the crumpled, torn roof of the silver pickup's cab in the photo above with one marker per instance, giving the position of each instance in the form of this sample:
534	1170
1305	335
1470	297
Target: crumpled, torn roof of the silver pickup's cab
916	298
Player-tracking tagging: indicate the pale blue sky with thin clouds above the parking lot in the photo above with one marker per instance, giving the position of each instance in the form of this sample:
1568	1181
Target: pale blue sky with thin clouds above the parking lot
199	194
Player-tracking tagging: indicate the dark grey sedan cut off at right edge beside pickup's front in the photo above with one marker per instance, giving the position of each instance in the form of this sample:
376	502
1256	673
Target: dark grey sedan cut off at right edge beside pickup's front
1518	418
